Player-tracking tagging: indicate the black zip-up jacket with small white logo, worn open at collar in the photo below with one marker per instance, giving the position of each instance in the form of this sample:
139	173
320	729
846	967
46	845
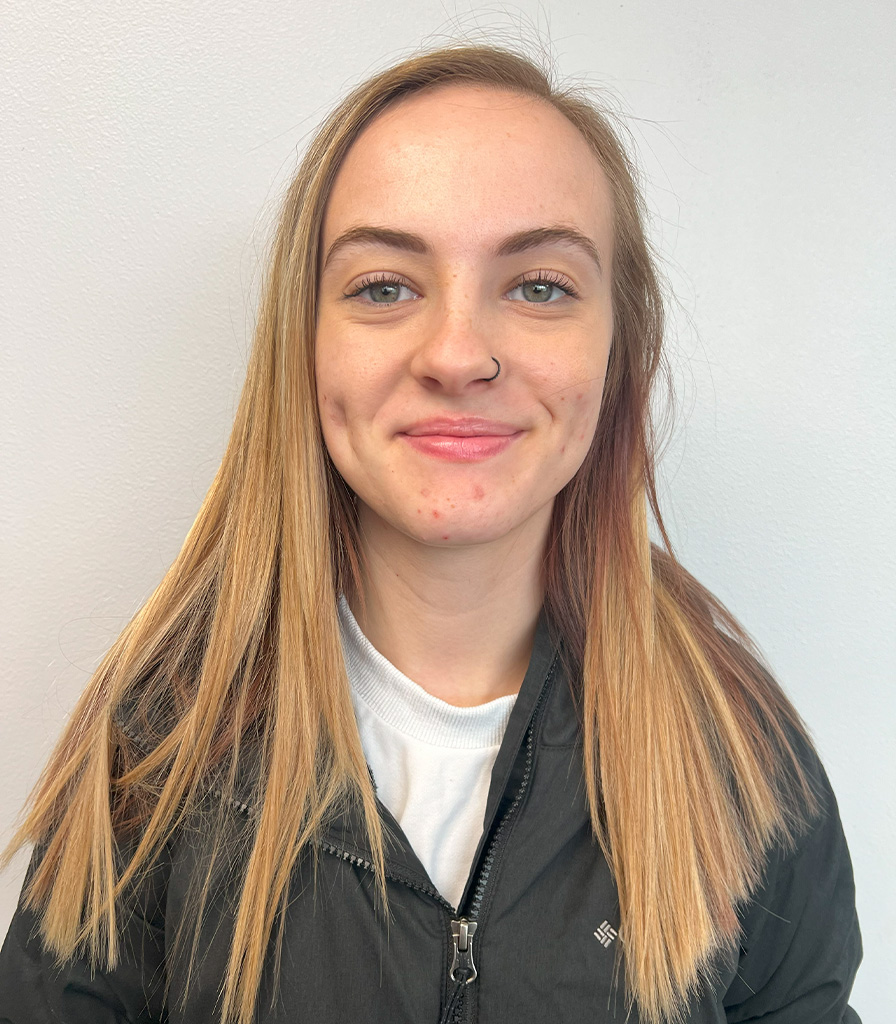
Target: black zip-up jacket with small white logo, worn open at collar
541	895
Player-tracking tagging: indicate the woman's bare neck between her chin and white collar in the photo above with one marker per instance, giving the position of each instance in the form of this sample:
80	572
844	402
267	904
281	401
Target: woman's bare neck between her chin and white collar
461	621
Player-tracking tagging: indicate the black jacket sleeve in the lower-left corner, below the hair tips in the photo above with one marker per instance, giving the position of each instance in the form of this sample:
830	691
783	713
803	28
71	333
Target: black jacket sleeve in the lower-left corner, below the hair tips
35	989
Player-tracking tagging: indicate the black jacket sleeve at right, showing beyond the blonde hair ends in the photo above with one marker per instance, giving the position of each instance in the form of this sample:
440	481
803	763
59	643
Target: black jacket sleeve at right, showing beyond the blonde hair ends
801	945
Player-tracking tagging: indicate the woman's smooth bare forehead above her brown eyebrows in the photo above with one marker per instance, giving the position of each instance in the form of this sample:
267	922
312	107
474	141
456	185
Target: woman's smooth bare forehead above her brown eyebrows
472	162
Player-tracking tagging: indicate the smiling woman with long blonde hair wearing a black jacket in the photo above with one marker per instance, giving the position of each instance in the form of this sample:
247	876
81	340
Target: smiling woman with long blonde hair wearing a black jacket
419	727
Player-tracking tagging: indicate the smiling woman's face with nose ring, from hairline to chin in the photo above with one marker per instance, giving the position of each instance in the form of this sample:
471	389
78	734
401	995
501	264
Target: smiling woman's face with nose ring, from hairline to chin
467	228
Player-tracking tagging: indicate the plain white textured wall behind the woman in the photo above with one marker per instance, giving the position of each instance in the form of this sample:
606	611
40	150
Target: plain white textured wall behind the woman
143	147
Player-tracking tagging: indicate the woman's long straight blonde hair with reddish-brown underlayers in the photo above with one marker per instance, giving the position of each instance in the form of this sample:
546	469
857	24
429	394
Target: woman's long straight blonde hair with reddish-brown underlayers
239	647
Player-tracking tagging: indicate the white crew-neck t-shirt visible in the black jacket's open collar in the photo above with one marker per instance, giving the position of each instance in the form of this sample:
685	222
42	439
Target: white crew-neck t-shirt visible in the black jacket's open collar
432	761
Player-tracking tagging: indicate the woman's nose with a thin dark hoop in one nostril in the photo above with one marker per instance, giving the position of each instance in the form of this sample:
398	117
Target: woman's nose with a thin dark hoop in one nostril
455	353
